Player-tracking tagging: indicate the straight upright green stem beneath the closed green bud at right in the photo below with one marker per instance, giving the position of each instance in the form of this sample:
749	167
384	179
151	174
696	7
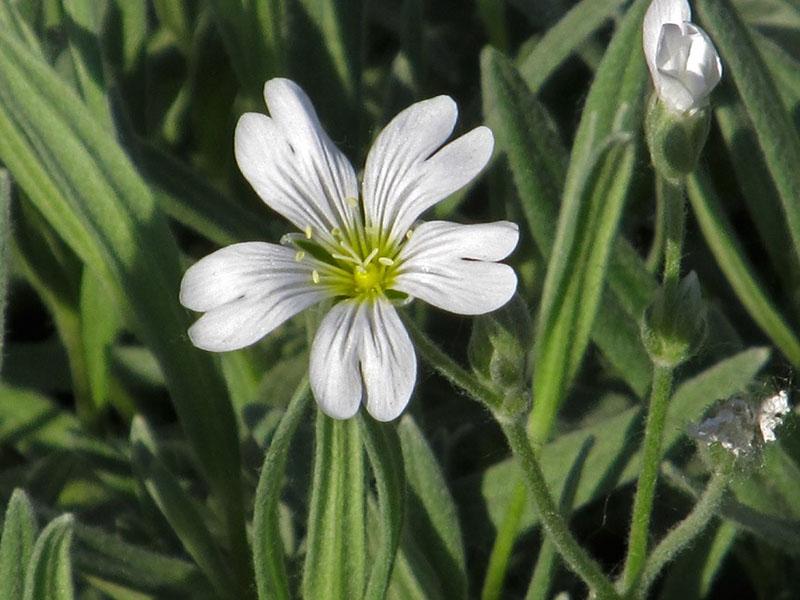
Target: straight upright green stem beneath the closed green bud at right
645	488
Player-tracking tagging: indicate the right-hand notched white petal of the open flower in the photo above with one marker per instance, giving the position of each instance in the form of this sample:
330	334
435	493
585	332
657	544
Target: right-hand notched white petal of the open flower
445	264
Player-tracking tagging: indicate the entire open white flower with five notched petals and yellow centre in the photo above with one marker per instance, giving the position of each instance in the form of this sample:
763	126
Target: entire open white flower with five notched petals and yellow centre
366	252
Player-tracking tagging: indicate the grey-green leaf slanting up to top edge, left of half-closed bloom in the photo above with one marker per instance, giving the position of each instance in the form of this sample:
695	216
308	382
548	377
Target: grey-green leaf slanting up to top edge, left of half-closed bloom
564	38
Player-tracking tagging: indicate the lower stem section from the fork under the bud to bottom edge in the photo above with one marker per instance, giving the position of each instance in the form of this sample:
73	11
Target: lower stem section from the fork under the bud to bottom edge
552	522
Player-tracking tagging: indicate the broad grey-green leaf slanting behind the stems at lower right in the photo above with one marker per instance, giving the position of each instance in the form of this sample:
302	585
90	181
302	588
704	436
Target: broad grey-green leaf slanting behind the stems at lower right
613	460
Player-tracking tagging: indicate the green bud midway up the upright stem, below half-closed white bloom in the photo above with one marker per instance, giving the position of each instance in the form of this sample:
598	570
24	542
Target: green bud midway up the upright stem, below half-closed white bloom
674	325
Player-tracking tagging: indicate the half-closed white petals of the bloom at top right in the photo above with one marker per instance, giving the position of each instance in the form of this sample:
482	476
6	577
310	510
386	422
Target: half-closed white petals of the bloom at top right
683	62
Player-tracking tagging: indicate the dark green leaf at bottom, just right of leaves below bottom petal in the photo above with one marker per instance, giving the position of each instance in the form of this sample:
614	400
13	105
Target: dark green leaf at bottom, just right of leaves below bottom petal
431	516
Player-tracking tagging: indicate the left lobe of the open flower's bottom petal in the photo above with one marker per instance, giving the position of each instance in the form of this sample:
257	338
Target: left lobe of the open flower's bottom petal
333	371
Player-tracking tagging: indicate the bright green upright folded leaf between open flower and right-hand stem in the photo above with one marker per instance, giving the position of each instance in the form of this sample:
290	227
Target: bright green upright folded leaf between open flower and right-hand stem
575	276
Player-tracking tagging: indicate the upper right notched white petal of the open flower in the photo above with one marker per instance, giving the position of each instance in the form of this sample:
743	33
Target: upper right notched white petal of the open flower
403	177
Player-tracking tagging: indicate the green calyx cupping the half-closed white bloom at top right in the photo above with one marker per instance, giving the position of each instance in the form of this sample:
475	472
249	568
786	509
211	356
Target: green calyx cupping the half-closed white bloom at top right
675	140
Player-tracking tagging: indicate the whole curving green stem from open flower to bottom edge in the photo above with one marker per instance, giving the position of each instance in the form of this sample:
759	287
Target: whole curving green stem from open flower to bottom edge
552	522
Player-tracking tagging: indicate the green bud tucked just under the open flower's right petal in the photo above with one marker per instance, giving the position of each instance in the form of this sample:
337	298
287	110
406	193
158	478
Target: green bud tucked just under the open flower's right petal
498	348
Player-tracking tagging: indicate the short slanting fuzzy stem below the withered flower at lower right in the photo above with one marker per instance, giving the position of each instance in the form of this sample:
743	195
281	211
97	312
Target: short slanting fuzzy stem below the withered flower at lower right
687	530
